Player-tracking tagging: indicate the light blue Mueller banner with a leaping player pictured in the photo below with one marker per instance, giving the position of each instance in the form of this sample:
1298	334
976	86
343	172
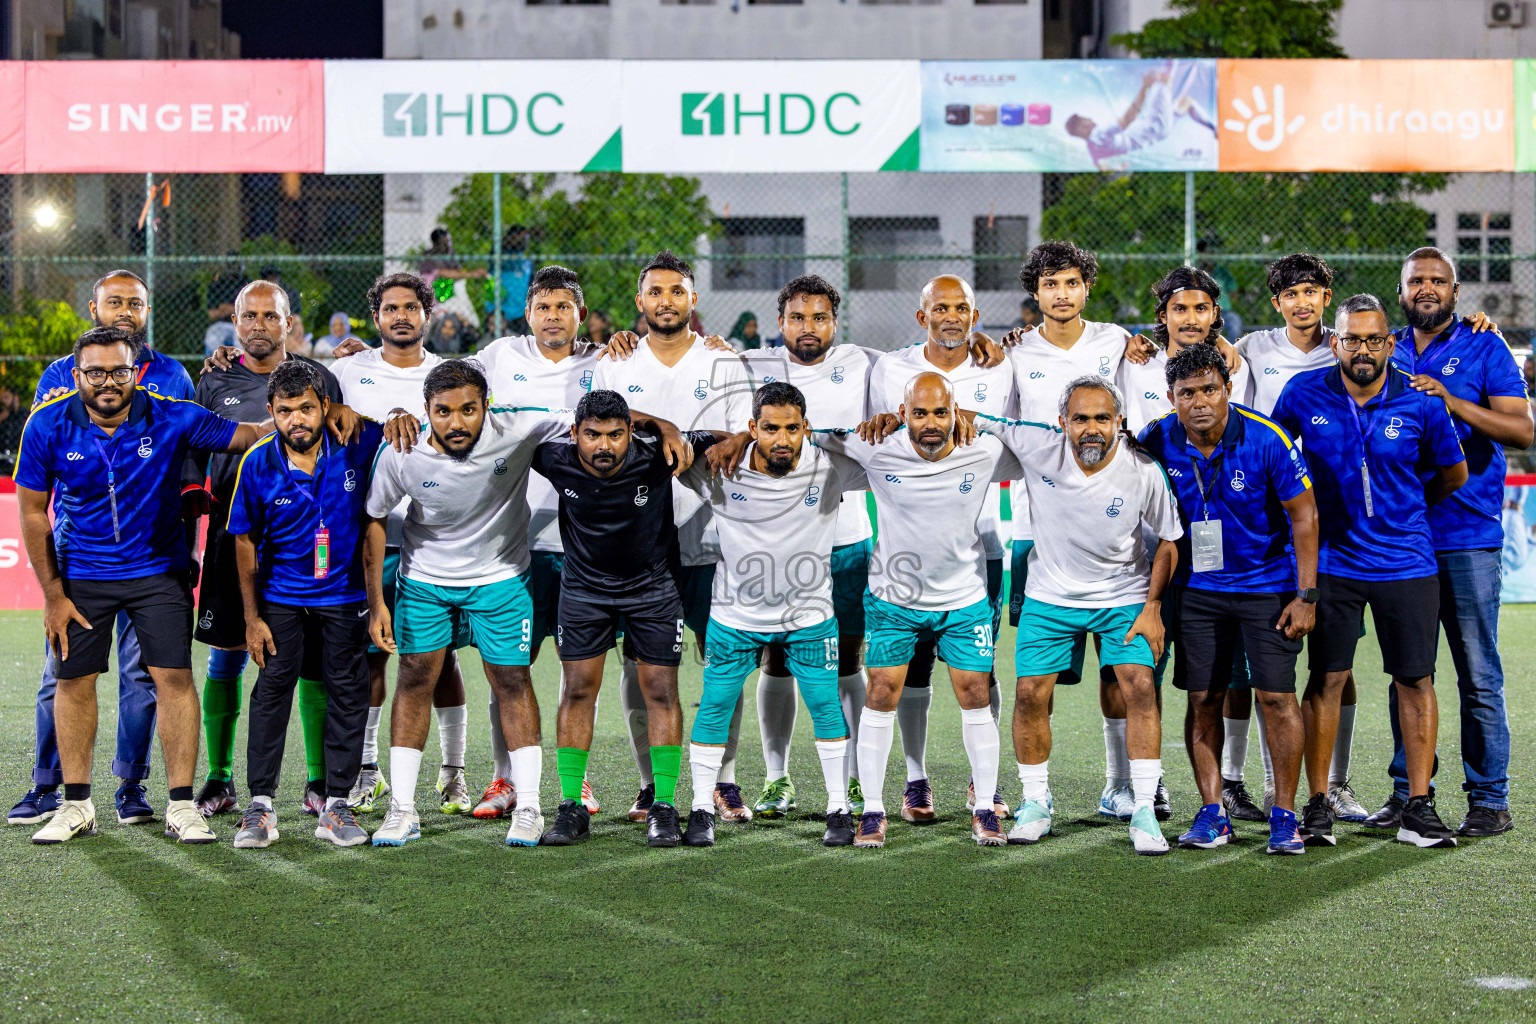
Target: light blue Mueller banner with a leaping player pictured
1110	116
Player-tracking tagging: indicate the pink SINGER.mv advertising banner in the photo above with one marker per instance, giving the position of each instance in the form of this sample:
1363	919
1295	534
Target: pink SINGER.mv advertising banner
174	116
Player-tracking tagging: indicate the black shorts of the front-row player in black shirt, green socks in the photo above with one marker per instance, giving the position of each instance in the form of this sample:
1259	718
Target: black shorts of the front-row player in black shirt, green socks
652	623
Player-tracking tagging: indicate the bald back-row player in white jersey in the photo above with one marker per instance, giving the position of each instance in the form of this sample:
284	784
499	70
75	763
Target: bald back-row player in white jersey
948	315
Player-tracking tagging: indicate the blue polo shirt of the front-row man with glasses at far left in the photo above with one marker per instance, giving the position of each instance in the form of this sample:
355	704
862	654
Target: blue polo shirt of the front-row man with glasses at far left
65	454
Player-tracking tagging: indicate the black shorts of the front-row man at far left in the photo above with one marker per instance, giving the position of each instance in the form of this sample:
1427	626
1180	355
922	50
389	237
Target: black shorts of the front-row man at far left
159	607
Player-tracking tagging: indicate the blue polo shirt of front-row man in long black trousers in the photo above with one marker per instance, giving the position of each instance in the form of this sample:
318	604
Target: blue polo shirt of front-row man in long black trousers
283	509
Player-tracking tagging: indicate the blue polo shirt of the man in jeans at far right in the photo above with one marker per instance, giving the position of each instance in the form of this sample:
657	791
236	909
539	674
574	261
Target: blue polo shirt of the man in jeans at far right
1474	368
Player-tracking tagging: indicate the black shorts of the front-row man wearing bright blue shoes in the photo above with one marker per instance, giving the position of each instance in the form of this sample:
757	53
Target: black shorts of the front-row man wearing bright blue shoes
1216	630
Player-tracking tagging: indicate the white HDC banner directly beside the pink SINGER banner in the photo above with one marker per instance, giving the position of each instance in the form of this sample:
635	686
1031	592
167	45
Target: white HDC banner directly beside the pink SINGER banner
463	116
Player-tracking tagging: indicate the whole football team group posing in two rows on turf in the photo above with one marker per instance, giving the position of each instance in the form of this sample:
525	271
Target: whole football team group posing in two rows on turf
823	515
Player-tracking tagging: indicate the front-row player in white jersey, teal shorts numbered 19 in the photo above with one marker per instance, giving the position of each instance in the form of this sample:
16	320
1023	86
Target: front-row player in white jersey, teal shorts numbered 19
778	518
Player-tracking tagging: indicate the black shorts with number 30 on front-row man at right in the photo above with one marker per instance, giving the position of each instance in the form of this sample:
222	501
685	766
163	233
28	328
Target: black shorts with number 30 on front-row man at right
1406	615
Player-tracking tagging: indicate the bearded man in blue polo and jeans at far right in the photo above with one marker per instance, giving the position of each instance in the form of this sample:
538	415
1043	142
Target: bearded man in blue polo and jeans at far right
1477	380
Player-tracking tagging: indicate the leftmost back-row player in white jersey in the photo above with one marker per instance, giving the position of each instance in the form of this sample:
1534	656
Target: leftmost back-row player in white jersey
382	383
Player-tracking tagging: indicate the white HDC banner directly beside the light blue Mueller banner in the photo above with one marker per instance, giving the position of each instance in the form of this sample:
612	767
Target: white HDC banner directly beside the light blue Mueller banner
692	116
